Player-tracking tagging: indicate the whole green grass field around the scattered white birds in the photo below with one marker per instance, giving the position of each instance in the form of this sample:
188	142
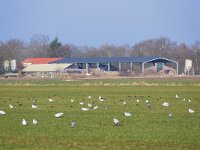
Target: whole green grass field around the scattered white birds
147	128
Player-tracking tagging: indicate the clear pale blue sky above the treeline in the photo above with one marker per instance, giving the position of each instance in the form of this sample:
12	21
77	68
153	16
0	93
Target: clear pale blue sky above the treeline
98	22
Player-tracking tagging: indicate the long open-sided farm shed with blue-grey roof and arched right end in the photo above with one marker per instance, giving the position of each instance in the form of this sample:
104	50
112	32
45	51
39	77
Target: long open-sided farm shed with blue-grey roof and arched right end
108	64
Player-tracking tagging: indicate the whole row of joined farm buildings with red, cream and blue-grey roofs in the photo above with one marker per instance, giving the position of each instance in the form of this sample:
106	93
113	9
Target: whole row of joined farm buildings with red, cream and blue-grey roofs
127	65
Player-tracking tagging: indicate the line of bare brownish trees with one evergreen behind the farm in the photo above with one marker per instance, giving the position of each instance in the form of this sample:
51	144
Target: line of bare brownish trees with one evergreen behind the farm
42	46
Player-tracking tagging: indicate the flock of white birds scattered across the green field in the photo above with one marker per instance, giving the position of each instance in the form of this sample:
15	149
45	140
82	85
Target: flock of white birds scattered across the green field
90	106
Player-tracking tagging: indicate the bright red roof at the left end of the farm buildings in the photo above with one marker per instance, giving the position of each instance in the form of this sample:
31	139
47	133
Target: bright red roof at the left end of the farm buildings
40	60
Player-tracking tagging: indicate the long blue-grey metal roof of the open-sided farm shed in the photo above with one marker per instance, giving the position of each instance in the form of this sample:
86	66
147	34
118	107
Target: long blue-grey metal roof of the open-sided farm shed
114	59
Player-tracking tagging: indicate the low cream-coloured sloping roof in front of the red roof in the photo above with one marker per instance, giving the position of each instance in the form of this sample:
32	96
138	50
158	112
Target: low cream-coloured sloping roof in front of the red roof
46	68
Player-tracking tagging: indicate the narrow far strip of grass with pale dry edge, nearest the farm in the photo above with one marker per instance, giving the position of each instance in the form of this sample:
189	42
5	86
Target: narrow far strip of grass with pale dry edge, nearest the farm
133	81
